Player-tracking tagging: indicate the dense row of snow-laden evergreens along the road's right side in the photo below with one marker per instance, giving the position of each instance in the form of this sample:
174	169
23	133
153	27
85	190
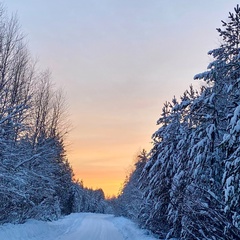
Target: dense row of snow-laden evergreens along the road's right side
188	186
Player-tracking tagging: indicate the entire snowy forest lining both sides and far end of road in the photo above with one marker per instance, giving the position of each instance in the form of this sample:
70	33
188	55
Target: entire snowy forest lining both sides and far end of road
186	187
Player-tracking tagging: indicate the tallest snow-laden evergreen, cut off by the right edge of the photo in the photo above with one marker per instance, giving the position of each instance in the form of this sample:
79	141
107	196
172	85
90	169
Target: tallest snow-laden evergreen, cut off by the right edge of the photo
224	75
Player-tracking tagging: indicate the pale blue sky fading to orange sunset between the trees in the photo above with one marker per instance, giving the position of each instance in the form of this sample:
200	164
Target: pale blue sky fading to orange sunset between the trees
118	61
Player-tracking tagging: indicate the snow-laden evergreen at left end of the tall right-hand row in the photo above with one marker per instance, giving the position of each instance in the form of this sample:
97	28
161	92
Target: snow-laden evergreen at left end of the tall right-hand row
156	182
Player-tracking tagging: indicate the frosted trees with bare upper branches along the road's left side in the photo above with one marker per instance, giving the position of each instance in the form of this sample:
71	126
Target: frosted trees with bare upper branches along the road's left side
36	179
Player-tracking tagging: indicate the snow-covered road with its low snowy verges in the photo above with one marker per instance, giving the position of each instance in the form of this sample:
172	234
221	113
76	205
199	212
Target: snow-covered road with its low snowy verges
76	226
